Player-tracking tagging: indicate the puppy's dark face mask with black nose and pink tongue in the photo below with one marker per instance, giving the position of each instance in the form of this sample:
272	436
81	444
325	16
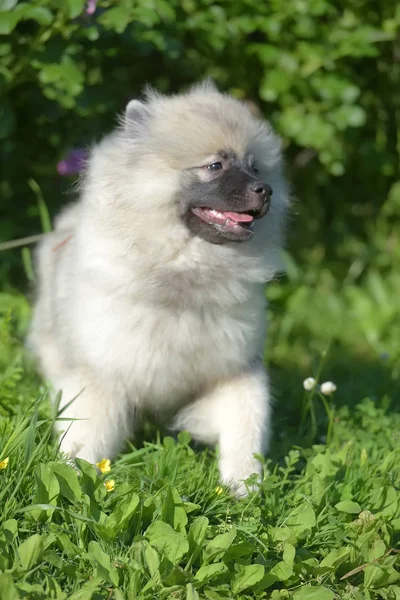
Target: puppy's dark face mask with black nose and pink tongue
221	199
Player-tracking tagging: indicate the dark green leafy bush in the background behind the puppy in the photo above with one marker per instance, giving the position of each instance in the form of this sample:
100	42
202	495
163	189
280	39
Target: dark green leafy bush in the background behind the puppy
326	74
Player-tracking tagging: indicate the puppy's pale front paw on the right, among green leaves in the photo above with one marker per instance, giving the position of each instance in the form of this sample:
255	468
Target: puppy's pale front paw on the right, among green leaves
235	472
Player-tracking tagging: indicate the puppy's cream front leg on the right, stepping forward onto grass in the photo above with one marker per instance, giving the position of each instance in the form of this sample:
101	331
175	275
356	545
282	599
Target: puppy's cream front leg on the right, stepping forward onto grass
236	415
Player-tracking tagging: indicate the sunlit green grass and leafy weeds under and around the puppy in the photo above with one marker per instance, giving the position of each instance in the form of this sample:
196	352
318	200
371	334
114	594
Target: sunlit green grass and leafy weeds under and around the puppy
325	523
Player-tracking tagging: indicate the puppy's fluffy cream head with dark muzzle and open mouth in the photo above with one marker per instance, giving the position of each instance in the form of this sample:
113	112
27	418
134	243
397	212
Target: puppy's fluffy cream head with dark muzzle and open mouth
203	158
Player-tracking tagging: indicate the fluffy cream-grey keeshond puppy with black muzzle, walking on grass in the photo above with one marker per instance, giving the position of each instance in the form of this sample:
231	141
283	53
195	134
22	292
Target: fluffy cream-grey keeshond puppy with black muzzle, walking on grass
151	287
